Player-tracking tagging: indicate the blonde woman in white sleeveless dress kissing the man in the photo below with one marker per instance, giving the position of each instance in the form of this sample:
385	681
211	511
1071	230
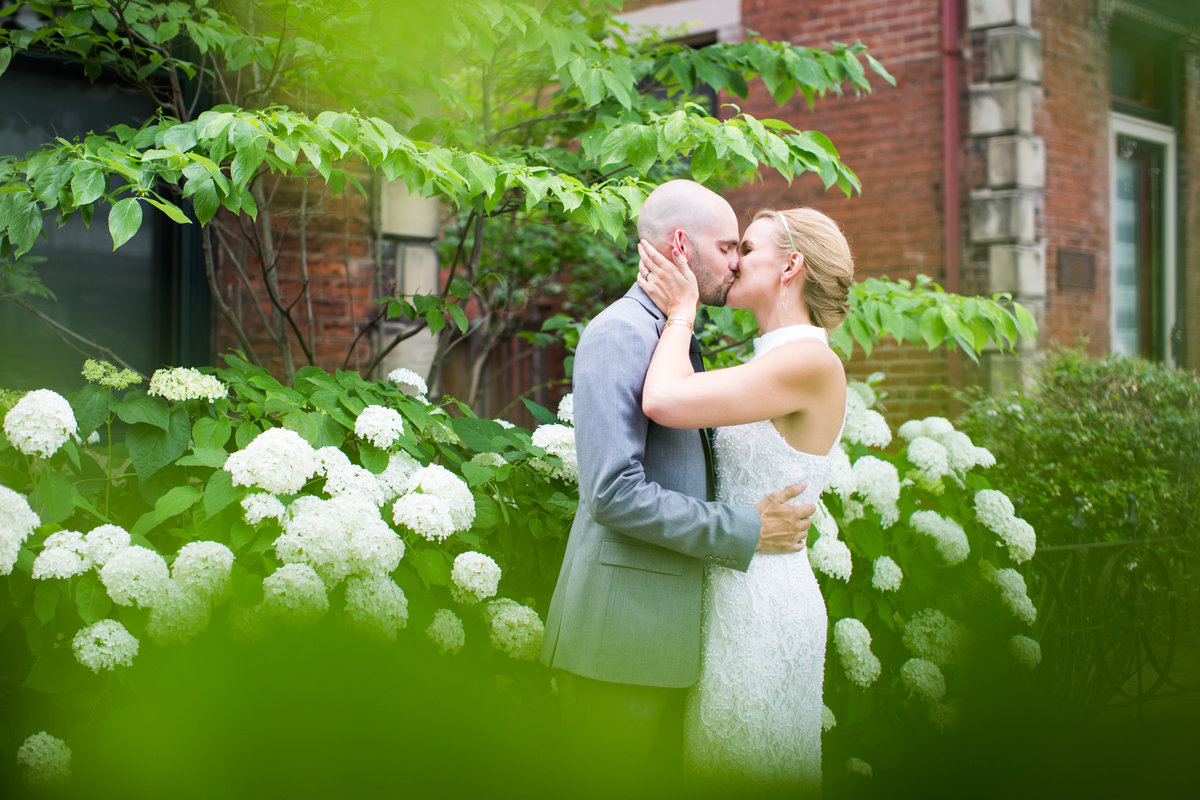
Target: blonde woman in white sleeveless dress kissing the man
755	714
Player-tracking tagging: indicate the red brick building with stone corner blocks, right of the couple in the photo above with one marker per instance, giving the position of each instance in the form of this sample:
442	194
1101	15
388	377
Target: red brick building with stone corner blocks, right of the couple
1049	149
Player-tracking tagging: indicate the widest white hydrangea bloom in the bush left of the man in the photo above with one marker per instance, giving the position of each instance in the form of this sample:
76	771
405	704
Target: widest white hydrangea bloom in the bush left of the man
340	537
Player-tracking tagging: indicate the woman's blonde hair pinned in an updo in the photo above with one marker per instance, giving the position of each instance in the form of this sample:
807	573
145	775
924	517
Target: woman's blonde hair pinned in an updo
829	266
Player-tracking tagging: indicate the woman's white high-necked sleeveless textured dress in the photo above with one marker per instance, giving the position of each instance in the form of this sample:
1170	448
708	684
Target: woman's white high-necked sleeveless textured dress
755	714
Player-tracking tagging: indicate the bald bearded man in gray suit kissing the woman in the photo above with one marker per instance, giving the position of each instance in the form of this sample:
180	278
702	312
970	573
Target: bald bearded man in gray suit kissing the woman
625	625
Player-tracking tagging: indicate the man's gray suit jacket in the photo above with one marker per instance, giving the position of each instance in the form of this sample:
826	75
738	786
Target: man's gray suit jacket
627	606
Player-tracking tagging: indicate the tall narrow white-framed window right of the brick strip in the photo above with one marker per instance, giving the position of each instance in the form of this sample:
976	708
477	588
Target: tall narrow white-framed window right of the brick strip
1143	209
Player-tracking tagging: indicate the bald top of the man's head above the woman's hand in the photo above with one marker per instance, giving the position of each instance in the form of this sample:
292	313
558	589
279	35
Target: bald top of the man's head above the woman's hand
685	206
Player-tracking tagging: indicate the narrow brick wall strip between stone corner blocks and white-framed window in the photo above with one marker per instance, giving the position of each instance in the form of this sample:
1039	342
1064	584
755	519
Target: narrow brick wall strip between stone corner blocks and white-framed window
1073	121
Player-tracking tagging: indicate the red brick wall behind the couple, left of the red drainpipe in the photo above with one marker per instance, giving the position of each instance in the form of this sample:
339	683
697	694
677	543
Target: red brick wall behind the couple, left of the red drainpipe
892	140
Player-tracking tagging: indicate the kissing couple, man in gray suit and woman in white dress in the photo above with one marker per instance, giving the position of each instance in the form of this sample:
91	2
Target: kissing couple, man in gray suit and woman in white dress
687	630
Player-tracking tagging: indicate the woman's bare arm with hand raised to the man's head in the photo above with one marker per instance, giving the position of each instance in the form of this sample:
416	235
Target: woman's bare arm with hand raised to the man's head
793	377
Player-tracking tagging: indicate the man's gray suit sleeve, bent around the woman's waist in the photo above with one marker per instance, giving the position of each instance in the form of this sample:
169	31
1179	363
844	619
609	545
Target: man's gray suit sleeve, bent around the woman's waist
611	432
